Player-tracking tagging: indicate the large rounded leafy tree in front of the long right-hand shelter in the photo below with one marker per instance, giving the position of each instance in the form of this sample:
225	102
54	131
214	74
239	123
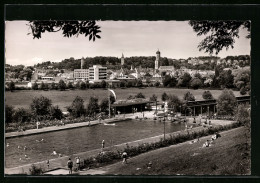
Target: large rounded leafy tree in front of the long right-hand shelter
226	103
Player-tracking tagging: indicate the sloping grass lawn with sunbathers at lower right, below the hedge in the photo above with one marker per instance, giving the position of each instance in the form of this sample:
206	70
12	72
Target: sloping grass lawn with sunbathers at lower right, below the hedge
227	156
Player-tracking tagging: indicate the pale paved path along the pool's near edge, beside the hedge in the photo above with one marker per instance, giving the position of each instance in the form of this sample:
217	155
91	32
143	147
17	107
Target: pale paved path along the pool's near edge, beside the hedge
62	161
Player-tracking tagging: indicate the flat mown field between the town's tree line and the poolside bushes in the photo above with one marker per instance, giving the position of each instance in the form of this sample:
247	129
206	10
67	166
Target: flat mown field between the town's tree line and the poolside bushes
64	98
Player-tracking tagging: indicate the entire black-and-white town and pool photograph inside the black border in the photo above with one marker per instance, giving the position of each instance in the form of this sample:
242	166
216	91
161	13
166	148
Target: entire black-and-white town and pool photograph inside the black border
105	97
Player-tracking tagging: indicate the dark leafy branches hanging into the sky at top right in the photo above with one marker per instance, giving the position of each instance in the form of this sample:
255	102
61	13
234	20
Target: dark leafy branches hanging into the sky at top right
219	34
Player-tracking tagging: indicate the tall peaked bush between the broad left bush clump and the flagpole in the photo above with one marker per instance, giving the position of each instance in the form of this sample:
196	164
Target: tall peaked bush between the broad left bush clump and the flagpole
77	109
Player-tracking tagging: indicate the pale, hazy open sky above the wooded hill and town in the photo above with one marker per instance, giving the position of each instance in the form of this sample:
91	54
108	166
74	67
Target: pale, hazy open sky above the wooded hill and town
174	39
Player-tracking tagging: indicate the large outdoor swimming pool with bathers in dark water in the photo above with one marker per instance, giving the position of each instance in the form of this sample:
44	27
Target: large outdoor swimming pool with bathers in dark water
72	141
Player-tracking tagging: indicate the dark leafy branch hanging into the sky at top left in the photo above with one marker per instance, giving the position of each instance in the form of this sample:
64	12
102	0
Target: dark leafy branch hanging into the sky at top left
68	28
